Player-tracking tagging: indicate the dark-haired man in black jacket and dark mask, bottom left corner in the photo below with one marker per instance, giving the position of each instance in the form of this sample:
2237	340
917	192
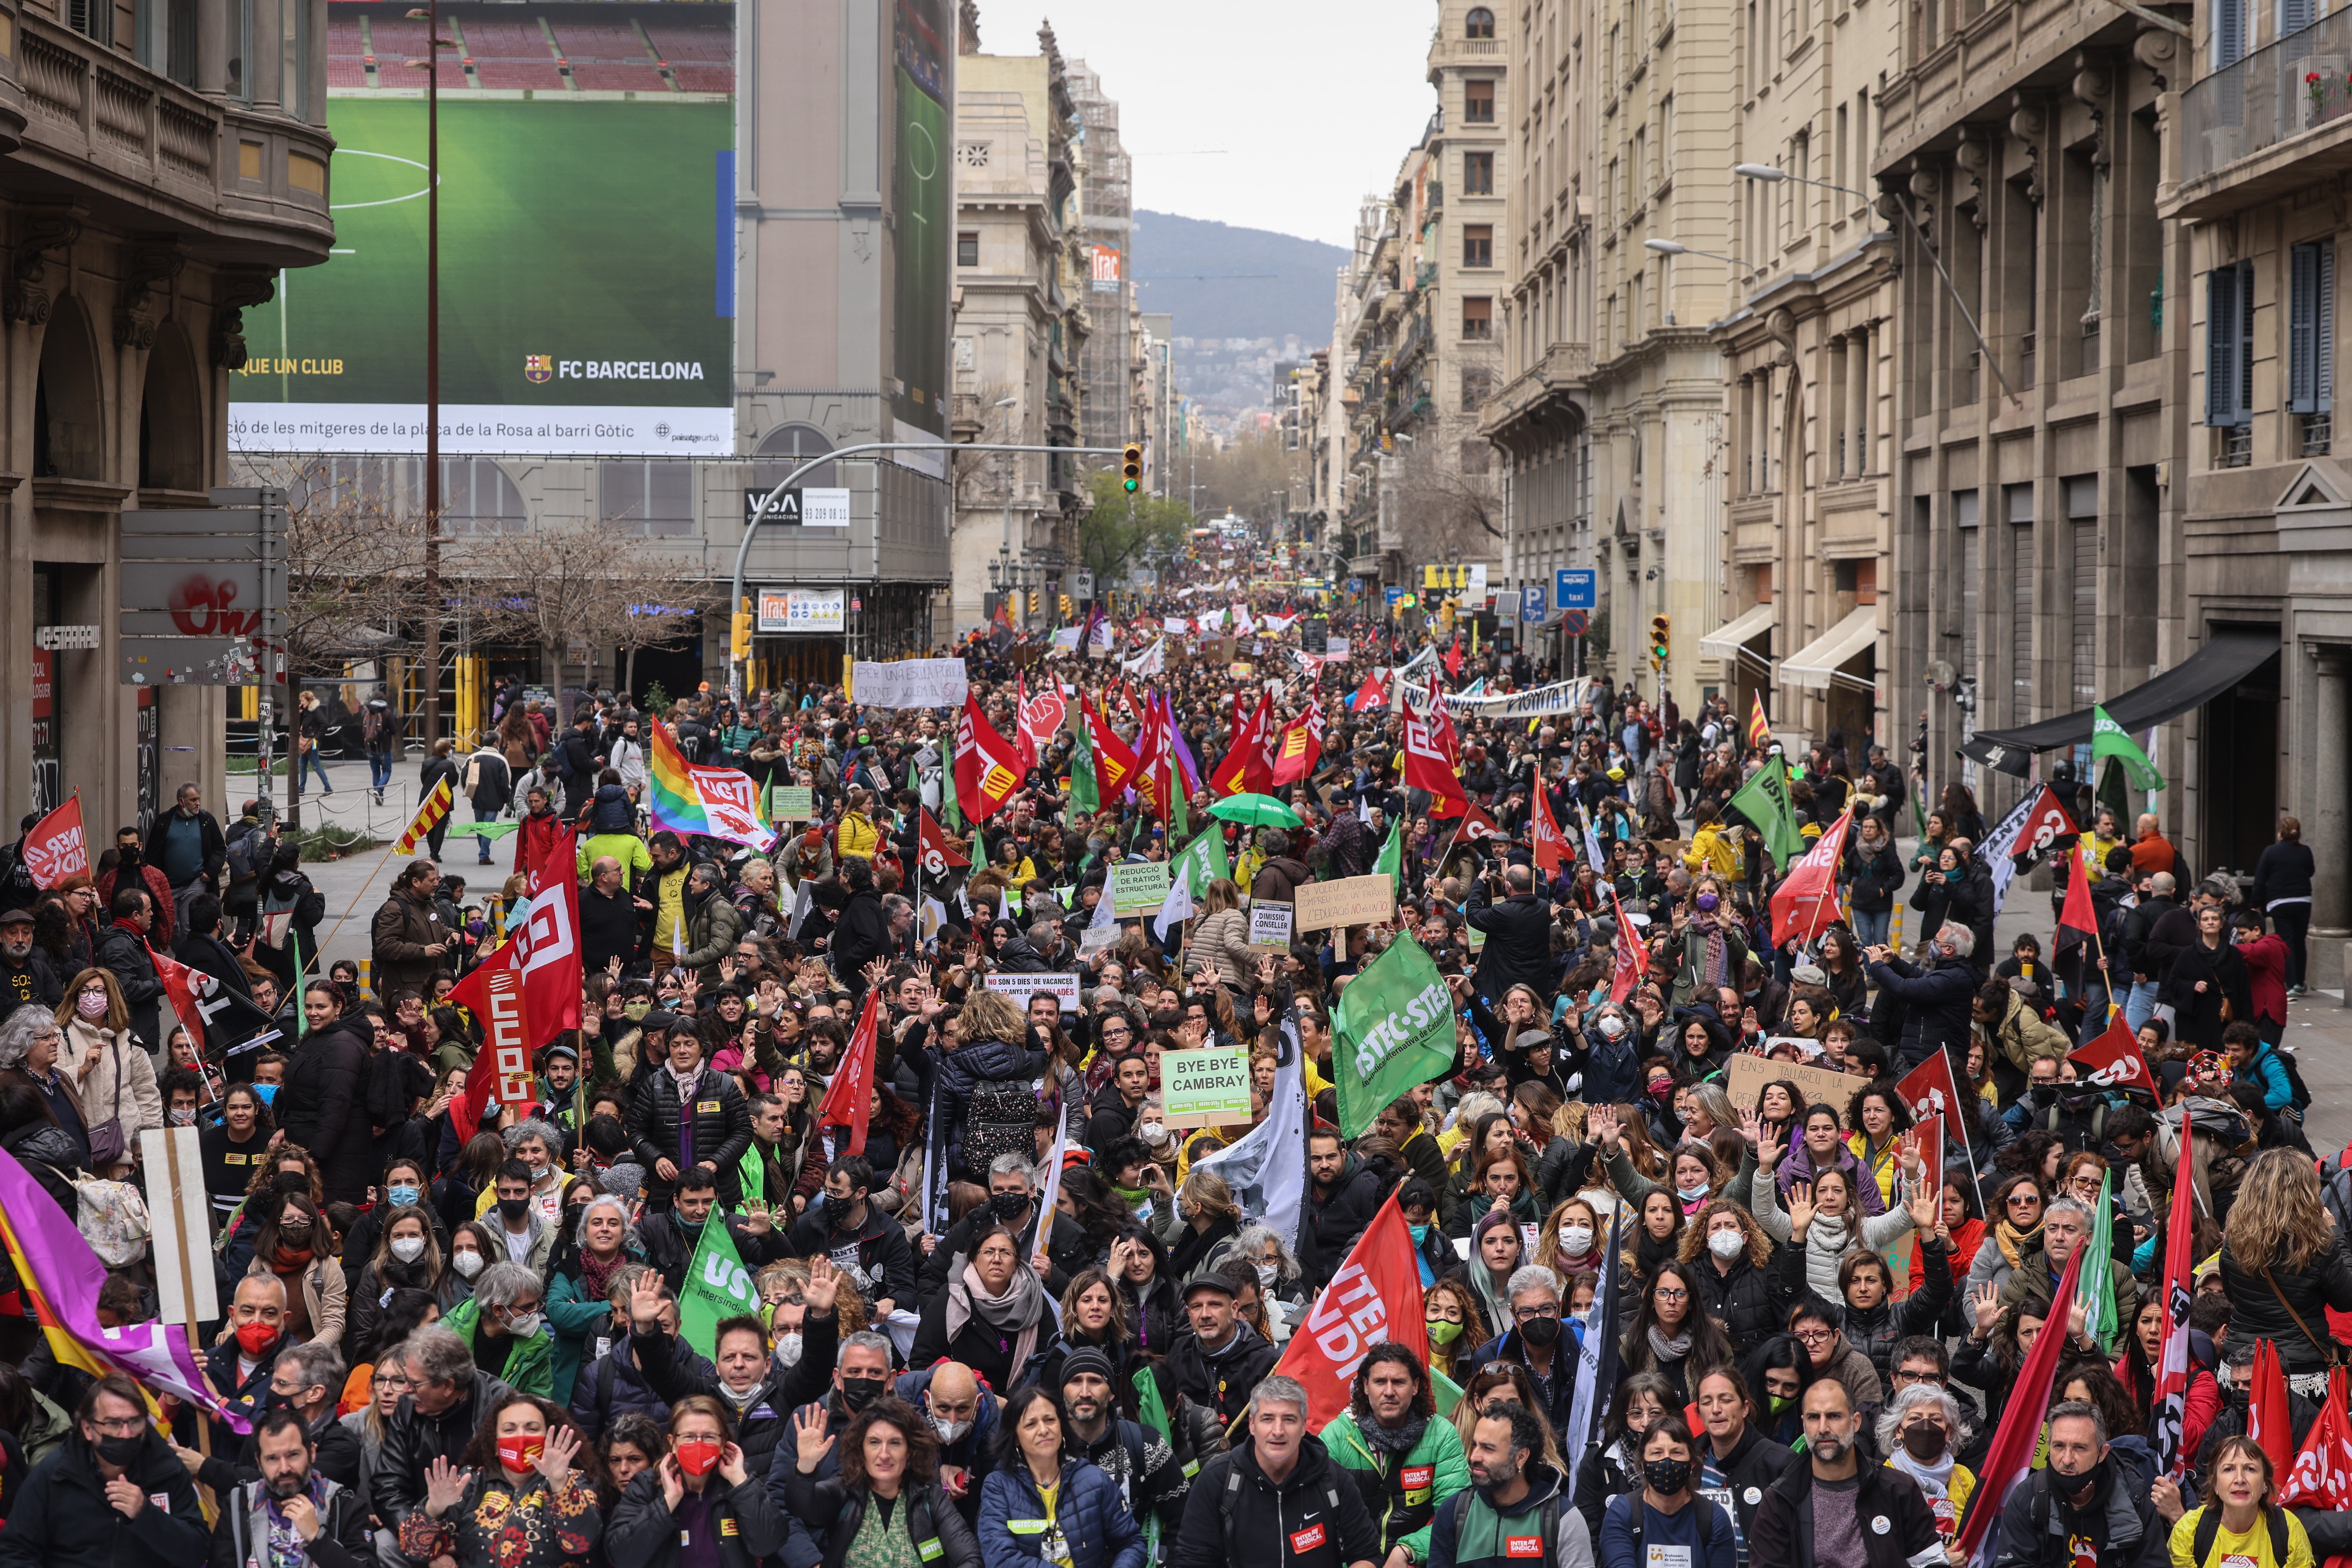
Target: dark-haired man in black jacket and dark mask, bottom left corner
109	1494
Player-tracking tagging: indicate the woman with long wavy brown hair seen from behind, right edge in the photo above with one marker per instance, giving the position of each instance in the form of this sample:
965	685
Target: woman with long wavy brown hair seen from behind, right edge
2285	1264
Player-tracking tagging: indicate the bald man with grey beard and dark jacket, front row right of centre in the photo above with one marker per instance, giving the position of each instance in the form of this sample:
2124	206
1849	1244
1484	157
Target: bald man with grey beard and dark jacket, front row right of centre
1838	1513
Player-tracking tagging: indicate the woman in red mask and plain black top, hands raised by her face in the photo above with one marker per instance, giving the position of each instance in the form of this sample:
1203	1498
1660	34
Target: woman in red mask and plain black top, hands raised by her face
702	1503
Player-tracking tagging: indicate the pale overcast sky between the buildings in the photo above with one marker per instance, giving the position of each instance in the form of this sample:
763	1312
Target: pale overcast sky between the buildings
1267	114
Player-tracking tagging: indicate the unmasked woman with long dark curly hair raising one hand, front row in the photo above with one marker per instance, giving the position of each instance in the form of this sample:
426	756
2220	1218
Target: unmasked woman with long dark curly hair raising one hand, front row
890	1459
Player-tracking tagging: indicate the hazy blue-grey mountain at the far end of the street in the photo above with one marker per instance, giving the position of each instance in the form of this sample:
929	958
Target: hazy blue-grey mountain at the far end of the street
1172	255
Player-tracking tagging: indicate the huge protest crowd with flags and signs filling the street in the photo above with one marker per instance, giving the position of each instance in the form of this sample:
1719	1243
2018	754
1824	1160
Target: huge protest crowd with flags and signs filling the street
1624	1144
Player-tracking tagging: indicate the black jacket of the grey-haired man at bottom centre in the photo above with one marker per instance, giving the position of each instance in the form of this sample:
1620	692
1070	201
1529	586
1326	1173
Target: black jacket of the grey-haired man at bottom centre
1234	1503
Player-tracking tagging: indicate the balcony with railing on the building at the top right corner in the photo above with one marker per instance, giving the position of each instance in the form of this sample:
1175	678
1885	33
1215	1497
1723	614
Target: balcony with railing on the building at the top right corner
2273	123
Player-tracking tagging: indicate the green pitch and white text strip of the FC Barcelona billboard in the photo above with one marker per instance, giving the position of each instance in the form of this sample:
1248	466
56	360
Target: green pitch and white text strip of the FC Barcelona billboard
587	286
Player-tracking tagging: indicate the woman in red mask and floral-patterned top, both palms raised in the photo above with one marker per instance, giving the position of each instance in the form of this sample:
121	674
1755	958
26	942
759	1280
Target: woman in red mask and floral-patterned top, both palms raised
521	1496
